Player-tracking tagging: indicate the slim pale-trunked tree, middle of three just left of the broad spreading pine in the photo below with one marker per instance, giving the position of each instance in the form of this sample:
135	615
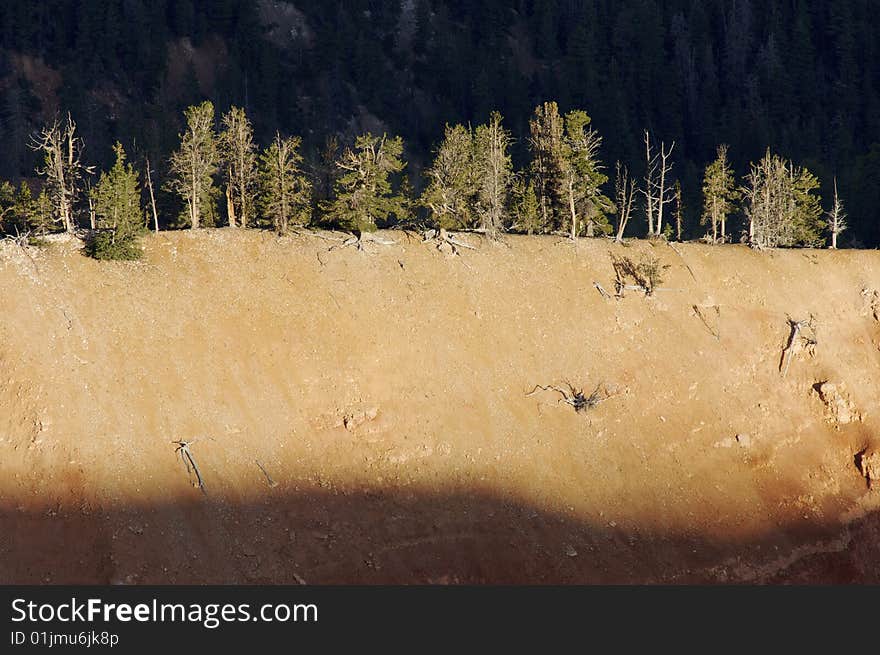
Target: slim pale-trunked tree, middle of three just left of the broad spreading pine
239	156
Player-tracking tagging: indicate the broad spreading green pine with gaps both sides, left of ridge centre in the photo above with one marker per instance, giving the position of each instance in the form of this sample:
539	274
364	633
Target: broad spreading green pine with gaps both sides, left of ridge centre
364	194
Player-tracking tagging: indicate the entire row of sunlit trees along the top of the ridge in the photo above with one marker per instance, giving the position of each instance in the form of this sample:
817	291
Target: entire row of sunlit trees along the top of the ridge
220	176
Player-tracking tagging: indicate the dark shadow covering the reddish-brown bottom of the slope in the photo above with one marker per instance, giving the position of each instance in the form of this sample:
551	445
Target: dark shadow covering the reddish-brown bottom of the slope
318	537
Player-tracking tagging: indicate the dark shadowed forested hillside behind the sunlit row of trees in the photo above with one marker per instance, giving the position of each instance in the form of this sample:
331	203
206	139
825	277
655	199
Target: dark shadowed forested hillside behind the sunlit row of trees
801	76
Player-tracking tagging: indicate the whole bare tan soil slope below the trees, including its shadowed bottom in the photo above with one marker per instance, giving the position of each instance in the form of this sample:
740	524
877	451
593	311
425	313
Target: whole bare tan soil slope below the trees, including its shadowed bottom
383	393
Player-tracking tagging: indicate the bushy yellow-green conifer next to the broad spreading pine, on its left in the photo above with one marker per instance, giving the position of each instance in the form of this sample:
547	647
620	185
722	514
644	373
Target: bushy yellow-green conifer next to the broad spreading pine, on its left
286	191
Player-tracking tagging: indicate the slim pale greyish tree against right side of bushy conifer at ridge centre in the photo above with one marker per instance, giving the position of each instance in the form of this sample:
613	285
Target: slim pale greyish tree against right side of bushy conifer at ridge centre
493	168
